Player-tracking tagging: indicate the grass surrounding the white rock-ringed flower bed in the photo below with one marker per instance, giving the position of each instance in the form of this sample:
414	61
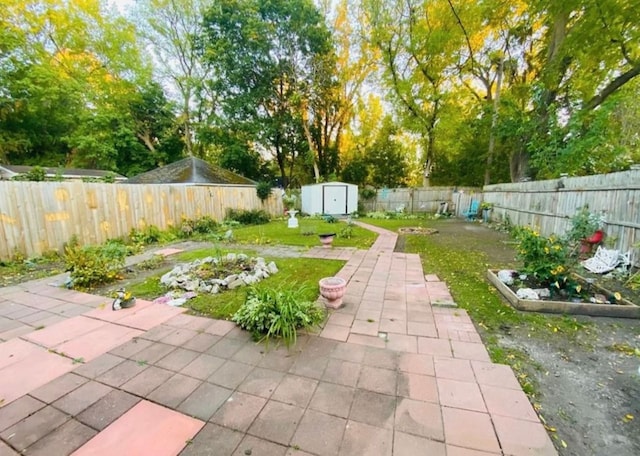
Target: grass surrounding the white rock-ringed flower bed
293	272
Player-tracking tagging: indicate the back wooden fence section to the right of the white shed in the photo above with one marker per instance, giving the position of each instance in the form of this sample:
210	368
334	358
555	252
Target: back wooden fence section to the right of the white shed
423	200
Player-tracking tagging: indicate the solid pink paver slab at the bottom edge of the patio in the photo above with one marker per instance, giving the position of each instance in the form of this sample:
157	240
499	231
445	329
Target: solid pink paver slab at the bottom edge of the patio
147	428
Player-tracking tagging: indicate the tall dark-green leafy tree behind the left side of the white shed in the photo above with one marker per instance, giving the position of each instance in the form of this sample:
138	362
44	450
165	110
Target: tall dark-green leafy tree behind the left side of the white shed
264	54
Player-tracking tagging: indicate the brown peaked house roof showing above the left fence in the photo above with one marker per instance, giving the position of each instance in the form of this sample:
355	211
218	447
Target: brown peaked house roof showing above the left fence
190	170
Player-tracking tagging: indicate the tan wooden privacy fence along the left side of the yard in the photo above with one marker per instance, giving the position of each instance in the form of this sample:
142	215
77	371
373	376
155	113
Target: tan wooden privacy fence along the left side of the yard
36	217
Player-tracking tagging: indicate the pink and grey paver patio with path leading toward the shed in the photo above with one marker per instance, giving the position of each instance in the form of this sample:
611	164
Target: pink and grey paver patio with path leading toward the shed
391	373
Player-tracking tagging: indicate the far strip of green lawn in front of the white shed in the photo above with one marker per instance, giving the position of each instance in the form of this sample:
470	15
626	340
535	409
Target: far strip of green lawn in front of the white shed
306	235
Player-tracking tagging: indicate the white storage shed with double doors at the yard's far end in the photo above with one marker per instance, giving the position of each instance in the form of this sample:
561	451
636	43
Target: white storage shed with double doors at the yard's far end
334	198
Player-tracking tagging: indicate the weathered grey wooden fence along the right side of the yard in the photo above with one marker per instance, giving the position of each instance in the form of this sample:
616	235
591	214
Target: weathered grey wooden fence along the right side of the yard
550	204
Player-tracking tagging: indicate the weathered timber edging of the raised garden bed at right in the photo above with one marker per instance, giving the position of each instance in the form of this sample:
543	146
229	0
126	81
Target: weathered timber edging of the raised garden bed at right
625	310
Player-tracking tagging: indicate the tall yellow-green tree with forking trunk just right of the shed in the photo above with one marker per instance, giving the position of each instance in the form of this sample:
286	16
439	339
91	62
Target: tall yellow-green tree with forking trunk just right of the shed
417	41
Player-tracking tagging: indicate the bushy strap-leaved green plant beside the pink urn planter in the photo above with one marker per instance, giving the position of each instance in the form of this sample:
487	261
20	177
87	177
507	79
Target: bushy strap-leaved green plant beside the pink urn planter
277	313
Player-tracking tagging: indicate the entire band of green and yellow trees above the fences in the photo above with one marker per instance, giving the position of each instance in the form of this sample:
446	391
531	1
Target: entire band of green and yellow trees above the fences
376	92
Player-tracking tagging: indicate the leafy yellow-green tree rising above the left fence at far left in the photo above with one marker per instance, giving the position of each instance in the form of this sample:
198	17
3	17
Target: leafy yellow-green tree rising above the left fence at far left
67	70
